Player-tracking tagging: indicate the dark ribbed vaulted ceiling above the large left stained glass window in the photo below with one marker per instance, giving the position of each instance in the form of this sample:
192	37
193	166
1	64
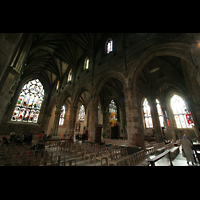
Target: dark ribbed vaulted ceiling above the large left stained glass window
51	53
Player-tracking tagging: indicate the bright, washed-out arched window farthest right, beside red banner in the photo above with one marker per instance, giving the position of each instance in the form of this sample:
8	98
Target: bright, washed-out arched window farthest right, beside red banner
179	110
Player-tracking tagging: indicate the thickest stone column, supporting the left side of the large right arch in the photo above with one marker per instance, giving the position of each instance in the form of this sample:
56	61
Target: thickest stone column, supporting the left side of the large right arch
133	123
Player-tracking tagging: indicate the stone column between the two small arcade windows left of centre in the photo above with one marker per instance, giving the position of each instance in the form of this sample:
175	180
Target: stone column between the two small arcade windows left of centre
72	121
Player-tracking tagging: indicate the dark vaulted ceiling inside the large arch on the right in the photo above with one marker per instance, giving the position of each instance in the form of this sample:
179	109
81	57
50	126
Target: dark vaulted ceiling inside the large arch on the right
161	74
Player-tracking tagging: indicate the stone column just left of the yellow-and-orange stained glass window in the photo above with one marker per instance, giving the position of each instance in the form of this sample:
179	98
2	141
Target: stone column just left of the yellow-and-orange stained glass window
93	119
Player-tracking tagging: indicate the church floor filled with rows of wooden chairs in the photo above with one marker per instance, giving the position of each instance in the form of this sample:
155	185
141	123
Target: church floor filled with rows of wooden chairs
64	153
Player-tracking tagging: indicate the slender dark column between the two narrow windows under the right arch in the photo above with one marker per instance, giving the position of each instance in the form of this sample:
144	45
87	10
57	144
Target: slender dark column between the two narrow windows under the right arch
155	119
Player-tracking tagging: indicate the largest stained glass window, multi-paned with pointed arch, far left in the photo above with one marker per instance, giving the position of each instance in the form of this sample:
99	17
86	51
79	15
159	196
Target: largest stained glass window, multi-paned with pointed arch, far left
29	102
